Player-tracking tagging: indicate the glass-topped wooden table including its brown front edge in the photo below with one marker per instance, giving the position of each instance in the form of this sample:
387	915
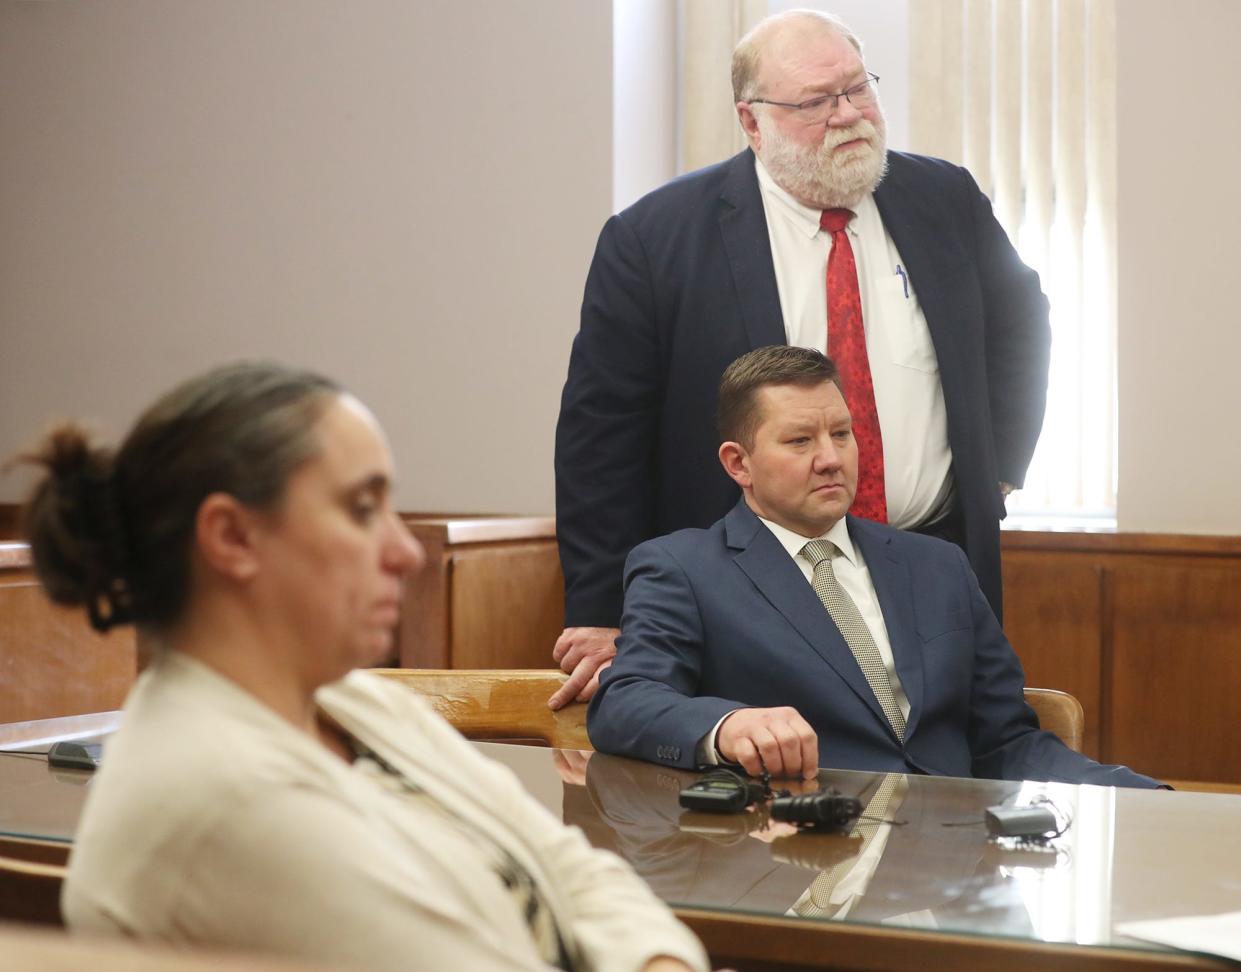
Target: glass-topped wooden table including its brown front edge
941	897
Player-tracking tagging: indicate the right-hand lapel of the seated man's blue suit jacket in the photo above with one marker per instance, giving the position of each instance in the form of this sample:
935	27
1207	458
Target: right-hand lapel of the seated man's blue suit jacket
894	588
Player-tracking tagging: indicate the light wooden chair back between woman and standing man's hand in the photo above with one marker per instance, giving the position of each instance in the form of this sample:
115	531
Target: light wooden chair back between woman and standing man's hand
503	704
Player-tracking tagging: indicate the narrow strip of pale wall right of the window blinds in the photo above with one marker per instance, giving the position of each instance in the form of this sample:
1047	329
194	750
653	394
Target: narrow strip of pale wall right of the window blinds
1180	197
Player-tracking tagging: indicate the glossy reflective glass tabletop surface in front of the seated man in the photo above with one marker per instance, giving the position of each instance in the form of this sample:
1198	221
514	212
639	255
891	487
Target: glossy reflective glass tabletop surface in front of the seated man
1127	856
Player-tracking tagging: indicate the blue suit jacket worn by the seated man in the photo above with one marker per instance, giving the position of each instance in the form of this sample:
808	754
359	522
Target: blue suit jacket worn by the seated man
722	619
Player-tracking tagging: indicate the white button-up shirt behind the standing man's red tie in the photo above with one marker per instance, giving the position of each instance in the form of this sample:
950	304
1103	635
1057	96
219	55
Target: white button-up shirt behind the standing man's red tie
904	368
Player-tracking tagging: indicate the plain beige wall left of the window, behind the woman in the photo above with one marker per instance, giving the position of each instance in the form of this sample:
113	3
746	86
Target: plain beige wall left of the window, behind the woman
405	196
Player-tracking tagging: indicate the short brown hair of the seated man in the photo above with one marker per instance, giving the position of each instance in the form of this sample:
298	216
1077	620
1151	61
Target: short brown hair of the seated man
737	412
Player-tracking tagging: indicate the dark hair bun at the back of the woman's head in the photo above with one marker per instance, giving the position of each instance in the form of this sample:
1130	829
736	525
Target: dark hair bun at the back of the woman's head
74	527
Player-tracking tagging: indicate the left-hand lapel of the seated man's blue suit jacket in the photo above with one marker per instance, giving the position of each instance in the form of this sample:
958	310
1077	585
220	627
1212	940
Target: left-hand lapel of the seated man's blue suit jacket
765	562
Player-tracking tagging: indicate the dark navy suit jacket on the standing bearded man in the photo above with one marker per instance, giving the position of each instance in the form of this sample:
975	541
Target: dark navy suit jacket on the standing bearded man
683	284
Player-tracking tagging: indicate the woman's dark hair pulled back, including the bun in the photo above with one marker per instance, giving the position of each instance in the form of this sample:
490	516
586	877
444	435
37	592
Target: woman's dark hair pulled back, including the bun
112	531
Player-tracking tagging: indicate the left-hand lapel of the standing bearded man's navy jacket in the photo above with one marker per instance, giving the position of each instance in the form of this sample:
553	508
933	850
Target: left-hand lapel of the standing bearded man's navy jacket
744	228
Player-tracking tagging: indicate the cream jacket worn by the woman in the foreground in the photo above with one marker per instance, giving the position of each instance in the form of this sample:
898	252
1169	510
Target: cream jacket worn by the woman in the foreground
213	821
